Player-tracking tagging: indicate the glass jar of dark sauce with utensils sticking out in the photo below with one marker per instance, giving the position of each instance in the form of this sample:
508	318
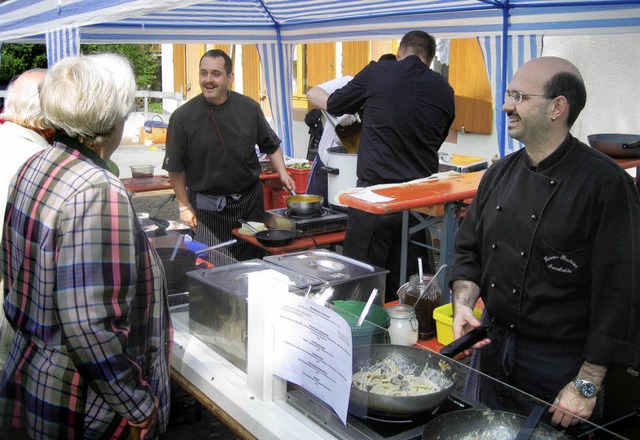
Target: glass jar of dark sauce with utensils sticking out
431	298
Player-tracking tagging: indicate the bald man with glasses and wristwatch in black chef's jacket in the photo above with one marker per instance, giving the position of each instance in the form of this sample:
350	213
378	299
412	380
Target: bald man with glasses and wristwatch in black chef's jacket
551	243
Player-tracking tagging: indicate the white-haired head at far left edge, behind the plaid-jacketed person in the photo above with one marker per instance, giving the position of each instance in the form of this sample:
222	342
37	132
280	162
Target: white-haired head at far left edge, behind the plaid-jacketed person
22	103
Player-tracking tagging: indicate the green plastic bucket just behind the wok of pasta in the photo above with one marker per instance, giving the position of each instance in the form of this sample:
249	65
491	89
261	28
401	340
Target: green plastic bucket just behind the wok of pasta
373	329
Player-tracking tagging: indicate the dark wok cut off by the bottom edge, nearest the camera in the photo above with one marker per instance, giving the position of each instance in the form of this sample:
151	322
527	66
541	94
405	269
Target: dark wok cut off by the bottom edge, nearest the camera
484	424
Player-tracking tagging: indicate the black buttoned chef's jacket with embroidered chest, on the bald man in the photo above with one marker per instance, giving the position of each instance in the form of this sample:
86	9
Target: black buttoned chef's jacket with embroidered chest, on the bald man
556	252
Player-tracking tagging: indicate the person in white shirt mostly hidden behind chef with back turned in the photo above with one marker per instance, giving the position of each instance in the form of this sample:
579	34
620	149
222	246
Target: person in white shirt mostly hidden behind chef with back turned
317	97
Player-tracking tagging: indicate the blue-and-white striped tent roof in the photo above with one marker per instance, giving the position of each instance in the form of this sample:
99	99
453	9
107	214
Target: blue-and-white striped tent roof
296	21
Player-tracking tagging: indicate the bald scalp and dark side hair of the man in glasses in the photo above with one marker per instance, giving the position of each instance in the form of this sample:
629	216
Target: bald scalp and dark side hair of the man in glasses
556	77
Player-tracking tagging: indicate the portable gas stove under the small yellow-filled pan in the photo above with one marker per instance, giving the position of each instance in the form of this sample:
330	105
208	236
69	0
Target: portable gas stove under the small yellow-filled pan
324	221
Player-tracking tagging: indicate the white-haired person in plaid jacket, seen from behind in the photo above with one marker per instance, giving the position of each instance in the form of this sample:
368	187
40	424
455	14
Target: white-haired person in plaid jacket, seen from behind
84	289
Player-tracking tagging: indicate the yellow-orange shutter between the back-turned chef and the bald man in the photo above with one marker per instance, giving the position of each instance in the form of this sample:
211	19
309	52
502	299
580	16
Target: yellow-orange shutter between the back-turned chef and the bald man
468	77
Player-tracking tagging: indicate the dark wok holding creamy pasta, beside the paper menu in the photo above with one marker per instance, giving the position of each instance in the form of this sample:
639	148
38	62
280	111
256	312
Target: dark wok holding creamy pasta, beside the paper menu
412	361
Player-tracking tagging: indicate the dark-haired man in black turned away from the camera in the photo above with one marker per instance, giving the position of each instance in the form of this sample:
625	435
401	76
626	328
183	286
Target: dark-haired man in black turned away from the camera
408	110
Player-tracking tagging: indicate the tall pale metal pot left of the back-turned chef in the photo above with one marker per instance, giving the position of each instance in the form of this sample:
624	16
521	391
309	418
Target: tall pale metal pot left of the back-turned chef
341	173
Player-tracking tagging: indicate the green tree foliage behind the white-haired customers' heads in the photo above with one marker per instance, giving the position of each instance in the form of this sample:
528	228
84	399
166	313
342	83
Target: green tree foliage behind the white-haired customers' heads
145	59
